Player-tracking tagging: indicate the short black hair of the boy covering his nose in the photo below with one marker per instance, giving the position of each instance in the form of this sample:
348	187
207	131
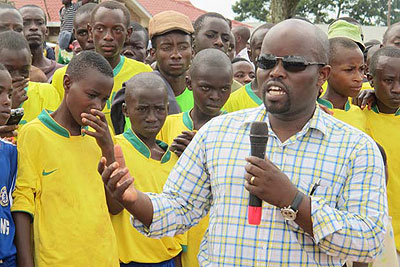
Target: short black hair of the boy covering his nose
85	60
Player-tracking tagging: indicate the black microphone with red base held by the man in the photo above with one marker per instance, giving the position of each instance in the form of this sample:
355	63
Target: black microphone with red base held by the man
258	142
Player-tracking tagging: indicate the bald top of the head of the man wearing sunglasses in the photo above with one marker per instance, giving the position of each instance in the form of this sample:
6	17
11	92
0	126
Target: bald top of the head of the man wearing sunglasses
307	37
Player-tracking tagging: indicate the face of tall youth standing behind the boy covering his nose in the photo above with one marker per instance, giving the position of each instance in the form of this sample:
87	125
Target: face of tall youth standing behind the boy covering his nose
109	31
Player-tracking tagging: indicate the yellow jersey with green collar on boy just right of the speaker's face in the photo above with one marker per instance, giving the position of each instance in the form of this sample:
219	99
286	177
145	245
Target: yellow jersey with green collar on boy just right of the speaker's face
351	114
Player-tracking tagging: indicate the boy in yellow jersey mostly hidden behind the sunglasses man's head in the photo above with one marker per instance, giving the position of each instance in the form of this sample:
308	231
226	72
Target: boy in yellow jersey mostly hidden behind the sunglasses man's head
248	96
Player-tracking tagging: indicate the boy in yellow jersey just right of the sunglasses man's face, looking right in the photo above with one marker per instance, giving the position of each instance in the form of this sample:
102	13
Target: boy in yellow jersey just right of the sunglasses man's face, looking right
345	80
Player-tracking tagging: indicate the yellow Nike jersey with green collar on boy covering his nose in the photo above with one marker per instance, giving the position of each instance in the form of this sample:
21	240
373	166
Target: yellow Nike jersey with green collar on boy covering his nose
59	186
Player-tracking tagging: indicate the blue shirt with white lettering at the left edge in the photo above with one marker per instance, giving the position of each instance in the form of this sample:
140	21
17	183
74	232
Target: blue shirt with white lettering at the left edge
8	170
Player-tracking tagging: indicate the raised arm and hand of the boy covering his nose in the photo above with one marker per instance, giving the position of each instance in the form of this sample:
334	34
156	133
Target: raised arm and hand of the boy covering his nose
97	121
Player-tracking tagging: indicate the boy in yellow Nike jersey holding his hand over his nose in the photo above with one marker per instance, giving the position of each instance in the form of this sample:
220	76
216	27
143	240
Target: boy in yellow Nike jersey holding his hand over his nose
59	193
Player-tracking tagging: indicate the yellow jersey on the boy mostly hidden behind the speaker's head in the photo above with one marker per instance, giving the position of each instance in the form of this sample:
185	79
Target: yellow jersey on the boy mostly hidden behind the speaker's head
241	99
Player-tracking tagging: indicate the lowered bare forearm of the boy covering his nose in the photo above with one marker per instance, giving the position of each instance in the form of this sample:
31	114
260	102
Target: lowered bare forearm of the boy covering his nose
22	222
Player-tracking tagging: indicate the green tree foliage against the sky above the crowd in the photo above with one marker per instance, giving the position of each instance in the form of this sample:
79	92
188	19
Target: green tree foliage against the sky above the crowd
367	12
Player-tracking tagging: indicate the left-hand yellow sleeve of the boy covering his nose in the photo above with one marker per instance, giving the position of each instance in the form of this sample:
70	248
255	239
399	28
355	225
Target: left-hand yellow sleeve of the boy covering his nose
28	173
